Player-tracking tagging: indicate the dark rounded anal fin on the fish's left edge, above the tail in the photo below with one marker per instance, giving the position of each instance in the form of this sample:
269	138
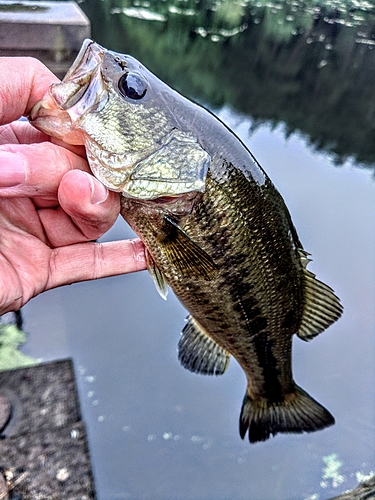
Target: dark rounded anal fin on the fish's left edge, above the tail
198	353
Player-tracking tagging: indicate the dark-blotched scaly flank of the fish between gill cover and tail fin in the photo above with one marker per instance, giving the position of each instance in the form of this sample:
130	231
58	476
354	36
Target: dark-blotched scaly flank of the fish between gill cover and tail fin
245	296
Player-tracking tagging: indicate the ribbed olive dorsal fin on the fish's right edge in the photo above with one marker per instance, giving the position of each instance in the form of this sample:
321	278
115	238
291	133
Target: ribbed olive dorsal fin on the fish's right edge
322	307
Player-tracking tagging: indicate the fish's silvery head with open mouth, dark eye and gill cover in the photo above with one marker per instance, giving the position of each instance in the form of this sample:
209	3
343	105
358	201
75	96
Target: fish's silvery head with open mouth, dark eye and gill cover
137	131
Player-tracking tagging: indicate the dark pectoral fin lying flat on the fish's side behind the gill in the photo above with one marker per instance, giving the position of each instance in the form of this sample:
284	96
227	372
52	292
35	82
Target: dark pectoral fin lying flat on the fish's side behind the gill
184	254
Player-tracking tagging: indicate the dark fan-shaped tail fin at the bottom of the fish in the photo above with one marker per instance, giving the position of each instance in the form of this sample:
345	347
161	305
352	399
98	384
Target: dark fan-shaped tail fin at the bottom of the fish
297	413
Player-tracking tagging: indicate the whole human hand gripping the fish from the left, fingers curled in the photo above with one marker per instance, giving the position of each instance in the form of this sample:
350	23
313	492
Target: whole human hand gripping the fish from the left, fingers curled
51	207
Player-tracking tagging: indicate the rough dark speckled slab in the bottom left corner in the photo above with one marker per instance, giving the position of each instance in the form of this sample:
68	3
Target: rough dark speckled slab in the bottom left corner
43	446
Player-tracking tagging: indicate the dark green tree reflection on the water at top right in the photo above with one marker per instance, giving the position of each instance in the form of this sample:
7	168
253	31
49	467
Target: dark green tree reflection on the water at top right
310	67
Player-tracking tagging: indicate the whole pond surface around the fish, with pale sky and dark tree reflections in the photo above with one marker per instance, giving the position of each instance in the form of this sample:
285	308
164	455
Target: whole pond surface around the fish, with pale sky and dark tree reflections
156	431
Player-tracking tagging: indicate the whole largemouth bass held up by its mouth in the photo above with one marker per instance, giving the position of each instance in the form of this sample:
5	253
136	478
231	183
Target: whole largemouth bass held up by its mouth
215	229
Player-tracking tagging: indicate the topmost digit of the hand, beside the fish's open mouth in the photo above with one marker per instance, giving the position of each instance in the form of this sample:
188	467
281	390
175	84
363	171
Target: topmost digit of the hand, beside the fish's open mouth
24	81
